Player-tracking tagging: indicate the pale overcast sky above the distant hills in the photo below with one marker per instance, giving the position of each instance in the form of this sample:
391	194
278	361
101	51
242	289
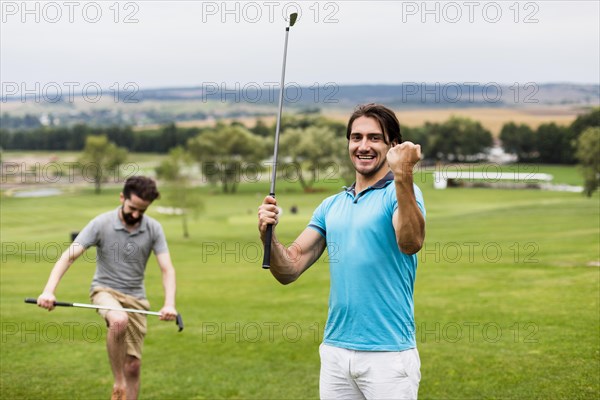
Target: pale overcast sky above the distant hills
190	43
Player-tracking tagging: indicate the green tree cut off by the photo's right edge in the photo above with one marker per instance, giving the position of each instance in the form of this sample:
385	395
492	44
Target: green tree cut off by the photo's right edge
588	154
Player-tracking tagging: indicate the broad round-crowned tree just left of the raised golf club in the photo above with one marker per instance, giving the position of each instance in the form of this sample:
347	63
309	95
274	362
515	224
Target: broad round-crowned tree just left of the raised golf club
226	153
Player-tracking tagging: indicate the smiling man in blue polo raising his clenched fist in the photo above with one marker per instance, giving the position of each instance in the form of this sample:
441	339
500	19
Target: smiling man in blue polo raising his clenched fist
373	231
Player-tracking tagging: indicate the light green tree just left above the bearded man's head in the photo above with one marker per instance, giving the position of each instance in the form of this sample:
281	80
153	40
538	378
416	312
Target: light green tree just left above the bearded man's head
101	159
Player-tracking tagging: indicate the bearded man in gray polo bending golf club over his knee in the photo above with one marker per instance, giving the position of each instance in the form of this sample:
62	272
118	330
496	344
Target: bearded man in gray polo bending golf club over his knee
124	239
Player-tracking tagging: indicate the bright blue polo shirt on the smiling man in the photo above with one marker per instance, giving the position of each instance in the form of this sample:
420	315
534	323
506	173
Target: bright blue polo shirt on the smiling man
372	281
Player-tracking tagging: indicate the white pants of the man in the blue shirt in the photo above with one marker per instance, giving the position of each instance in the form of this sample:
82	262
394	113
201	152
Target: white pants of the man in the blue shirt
350	374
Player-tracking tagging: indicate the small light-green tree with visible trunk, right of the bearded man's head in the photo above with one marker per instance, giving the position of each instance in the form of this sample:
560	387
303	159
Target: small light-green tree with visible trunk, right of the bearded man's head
181	196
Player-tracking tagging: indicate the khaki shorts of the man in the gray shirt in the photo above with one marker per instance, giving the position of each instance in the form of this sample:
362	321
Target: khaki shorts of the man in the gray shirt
136	328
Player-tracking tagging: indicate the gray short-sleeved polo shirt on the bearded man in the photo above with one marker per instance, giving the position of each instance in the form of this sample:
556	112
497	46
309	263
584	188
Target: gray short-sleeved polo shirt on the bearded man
121	256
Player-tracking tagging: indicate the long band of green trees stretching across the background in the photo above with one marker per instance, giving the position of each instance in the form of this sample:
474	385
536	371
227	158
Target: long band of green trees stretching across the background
313	144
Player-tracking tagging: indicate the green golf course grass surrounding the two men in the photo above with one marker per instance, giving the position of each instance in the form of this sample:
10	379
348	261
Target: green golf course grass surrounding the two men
506	300
